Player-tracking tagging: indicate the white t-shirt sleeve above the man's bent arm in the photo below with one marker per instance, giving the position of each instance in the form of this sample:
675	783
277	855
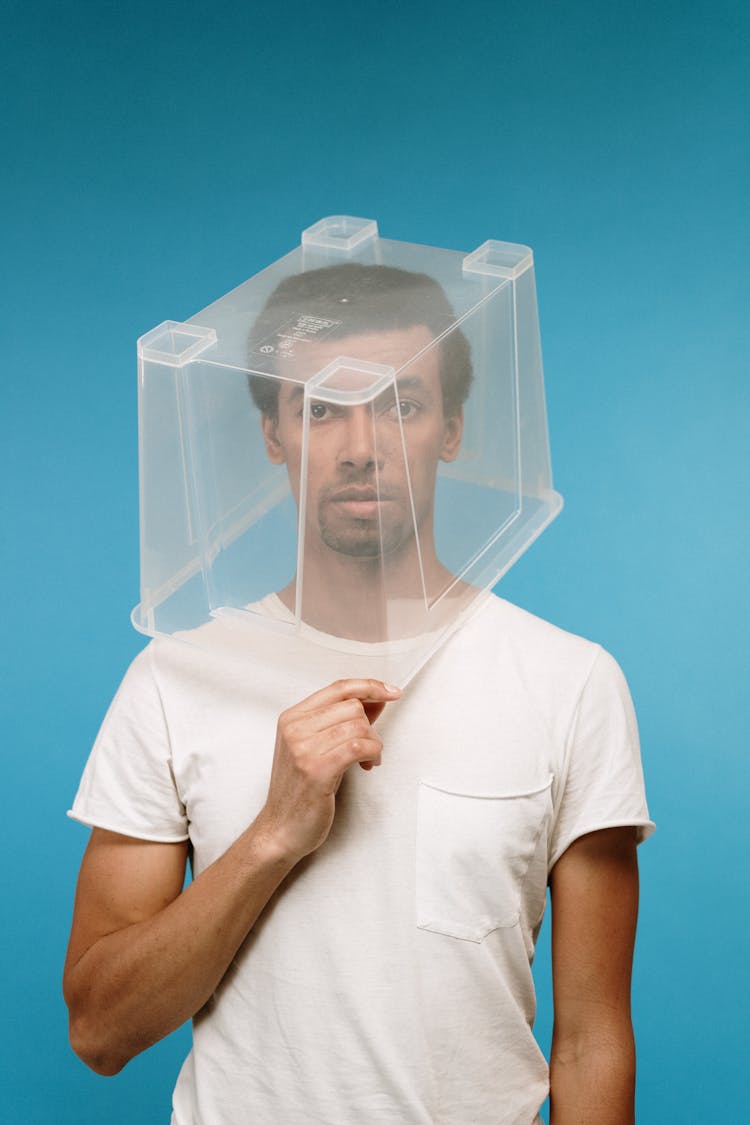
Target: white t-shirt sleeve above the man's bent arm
129	785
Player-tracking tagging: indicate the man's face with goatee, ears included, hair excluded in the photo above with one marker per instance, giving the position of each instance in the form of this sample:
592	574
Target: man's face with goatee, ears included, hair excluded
358	494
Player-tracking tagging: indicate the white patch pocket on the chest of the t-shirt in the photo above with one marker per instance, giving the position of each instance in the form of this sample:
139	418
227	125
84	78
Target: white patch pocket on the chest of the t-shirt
474	852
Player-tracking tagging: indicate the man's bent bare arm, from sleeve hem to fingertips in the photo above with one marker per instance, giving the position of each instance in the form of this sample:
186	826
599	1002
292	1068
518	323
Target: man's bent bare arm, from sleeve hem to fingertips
146	956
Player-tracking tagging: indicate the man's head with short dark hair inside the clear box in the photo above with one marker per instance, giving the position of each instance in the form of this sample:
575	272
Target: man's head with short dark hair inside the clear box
371	469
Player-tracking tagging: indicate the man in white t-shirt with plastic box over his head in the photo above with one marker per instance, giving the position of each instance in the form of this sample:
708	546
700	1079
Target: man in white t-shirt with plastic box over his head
356	944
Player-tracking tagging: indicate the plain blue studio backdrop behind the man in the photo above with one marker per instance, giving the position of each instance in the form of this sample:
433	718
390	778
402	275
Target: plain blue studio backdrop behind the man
158	156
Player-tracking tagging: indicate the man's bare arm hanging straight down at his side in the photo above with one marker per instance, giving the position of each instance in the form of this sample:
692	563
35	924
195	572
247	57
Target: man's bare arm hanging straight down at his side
594	890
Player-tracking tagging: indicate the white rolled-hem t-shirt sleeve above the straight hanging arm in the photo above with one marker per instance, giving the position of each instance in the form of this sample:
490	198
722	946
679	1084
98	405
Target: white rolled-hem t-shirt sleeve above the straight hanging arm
602	782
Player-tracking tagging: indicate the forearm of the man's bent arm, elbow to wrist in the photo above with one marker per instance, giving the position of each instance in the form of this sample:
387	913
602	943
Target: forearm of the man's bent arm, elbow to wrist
135	986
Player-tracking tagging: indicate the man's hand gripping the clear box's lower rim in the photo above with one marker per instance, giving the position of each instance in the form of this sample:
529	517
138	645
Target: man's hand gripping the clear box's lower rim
318	742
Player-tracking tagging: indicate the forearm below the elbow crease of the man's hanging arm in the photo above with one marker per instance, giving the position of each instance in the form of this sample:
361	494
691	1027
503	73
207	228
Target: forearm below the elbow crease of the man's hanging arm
594	1083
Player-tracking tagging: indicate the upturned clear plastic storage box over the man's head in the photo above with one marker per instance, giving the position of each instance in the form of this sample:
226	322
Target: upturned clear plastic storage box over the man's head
347	451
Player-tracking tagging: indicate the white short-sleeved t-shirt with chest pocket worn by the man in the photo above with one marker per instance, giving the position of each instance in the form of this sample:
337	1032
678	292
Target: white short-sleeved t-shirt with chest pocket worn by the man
388	982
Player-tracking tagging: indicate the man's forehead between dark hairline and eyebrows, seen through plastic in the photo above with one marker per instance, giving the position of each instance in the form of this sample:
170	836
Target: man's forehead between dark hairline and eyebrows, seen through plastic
406	350
